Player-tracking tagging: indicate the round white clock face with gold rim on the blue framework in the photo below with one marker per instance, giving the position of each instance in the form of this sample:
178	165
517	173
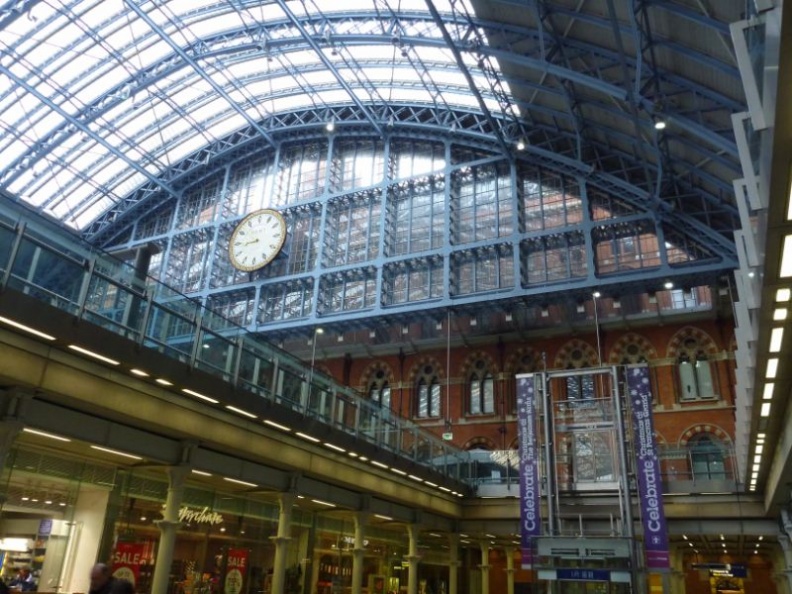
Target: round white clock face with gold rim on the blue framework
257	239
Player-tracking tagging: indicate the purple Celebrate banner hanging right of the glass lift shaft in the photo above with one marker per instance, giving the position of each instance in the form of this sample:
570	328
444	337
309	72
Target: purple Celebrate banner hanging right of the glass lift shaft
650	492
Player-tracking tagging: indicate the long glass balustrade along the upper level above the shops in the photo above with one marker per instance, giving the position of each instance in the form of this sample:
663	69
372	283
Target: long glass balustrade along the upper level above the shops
96	288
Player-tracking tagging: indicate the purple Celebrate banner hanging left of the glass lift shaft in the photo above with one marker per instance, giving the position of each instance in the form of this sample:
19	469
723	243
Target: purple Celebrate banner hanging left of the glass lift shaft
530	517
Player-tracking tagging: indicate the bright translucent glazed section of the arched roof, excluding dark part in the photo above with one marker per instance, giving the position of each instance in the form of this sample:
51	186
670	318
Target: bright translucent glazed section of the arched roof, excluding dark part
114	73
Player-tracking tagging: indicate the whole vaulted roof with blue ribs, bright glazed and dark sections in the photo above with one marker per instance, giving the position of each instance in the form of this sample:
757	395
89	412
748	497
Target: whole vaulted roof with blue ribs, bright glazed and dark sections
99	98
